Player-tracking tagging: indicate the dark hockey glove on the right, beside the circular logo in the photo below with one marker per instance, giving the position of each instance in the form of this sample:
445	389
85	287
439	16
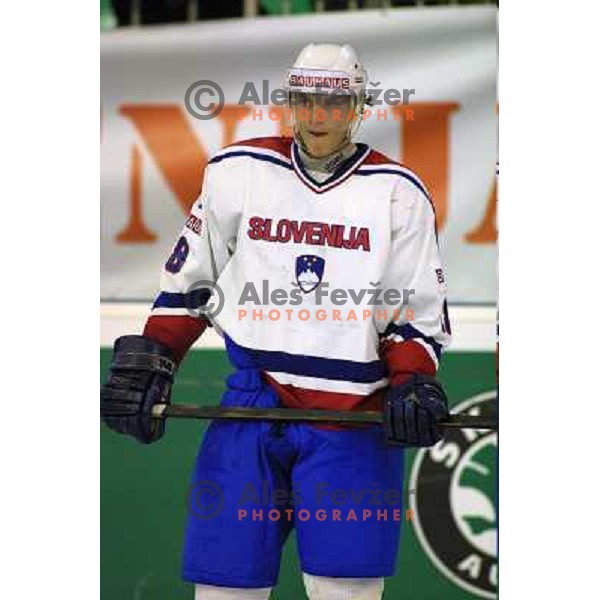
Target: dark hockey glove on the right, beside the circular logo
412	411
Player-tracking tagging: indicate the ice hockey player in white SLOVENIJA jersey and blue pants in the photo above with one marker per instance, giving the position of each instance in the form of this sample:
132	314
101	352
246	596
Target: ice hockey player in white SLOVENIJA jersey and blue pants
299	213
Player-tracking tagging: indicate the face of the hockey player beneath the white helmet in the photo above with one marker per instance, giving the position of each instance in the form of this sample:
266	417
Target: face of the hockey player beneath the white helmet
322	121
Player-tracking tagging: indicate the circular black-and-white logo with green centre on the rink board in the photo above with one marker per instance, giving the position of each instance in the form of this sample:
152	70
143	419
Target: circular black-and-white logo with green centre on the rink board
454	502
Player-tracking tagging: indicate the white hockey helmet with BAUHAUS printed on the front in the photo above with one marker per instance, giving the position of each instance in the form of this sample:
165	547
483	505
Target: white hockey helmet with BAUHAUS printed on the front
327	69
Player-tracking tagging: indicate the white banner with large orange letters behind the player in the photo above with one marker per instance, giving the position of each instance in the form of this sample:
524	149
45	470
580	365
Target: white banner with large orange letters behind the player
154	149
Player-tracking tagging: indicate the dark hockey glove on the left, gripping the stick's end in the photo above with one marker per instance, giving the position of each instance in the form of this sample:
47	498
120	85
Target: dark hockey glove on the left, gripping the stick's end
141	376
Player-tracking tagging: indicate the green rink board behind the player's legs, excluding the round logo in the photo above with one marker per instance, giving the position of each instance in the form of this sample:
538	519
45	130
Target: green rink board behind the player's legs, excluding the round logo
143	495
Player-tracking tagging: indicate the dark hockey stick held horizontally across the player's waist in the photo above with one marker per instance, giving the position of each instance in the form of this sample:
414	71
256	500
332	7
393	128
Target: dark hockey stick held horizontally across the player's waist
187	411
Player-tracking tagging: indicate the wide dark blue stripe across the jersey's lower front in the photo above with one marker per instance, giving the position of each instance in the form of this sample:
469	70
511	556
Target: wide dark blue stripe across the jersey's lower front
307	366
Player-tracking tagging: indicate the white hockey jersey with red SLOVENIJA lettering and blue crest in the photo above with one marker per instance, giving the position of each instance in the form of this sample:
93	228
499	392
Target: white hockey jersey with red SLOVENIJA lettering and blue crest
313	274
